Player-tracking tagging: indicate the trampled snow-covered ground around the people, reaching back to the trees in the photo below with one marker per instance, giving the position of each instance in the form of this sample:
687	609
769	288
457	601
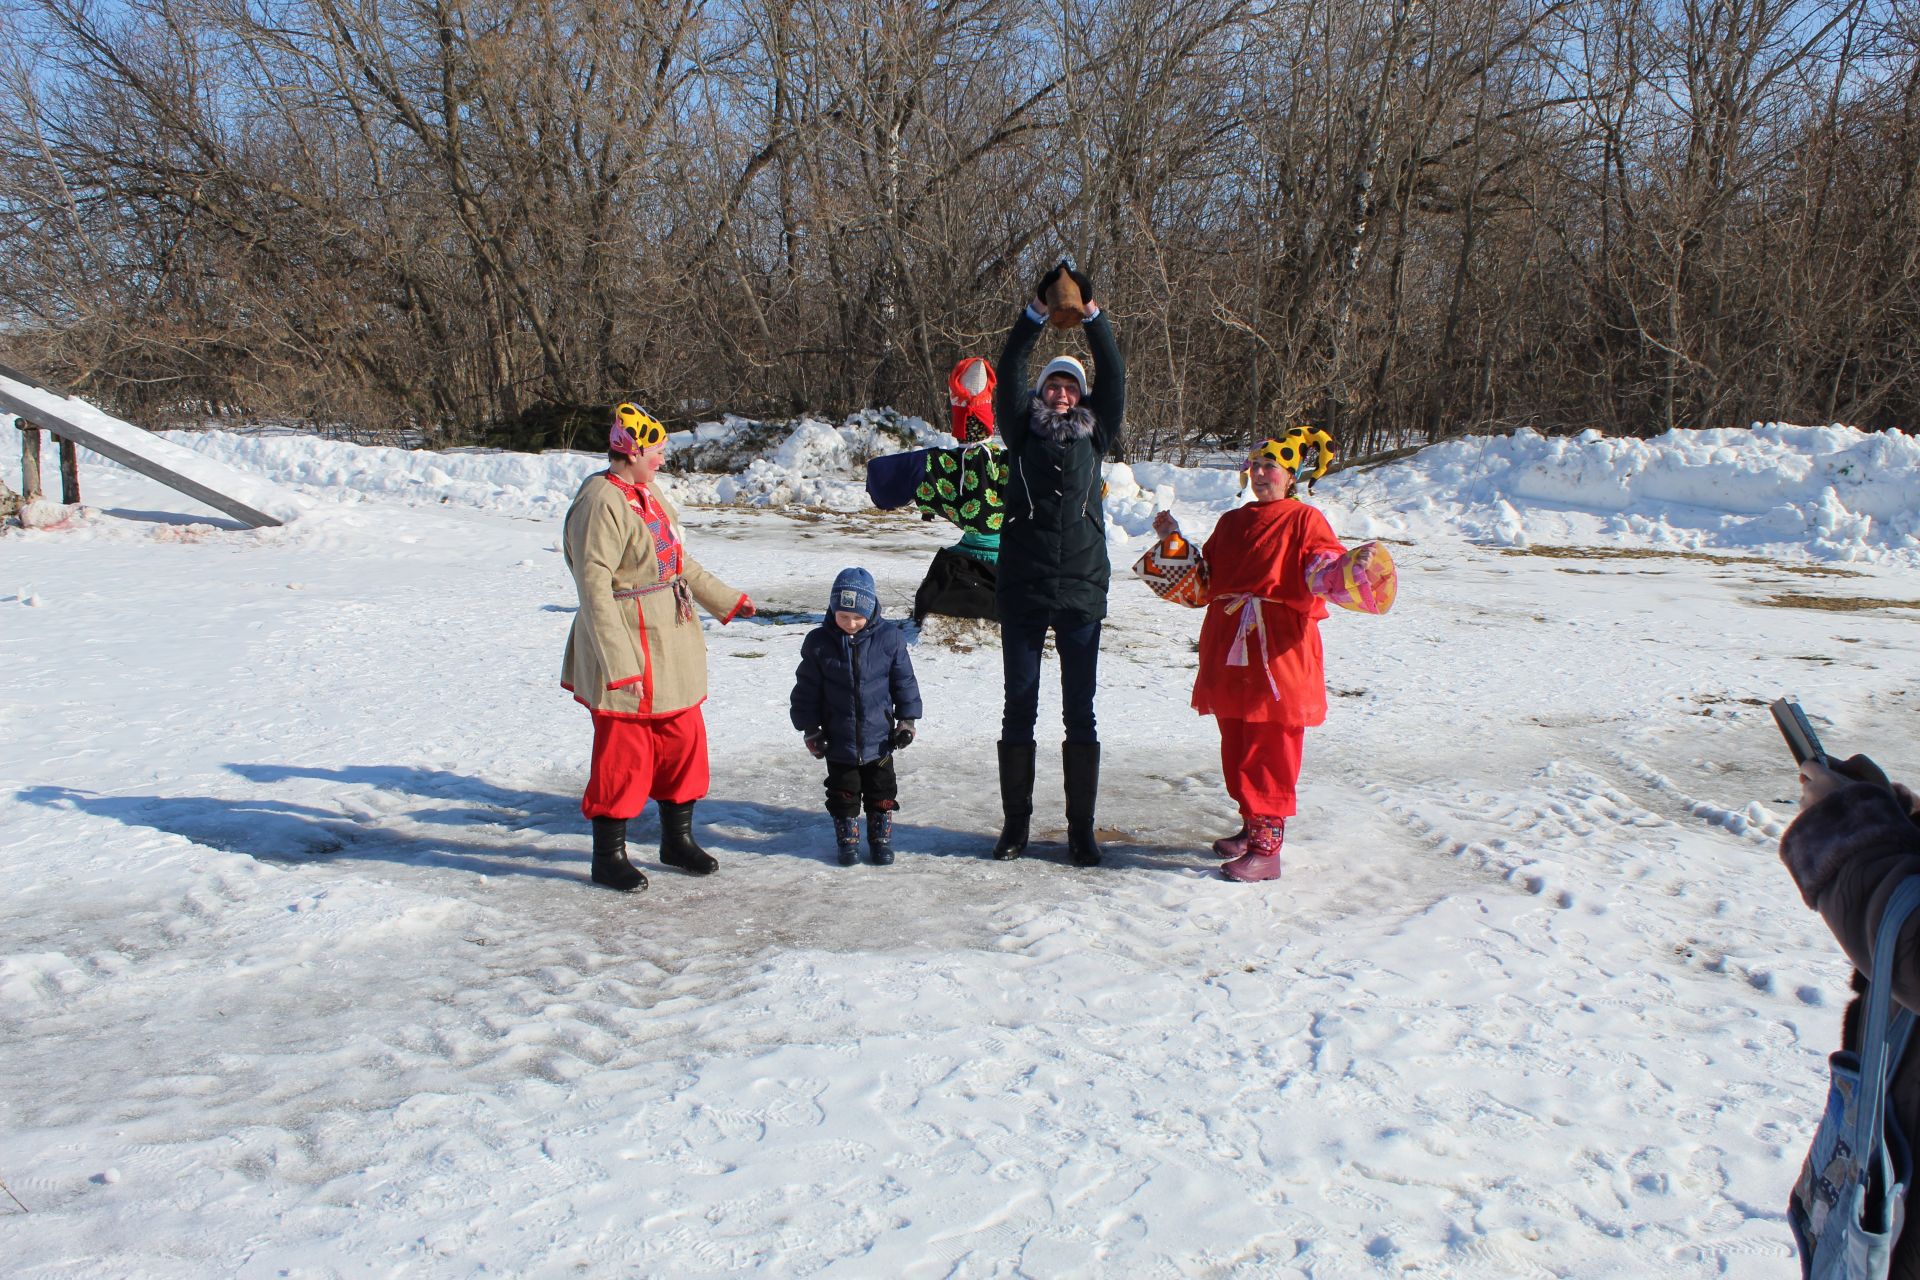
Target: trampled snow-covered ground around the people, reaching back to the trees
300	974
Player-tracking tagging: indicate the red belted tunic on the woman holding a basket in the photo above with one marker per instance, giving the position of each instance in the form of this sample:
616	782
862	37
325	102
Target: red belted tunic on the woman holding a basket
1264	552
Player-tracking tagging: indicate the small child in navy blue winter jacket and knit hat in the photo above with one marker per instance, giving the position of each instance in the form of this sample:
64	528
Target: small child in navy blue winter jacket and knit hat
855	699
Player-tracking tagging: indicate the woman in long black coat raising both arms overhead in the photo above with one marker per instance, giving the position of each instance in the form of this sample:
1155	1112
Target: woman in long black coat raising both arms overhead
1053	550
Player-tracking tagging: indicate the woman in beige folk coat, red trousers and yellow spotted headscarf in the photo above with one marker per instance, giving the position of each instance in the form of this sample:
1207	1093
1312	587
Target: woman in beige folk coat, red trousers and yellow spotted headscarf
636	655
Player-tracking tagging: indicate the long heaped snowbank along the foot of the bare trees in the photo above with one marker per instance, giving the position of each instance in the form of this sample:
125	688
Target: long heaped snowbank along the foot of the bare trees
1823	492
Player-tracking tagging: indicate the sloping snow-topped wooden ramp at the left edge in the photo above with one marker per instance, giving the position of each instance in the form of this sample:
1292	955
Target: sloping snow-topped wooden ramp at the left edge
245	498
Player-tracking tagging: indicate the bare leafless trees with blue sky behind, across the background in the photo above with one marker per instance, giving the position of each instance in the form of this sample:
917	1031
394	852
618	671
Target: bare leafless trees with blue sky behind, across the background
1406	220
